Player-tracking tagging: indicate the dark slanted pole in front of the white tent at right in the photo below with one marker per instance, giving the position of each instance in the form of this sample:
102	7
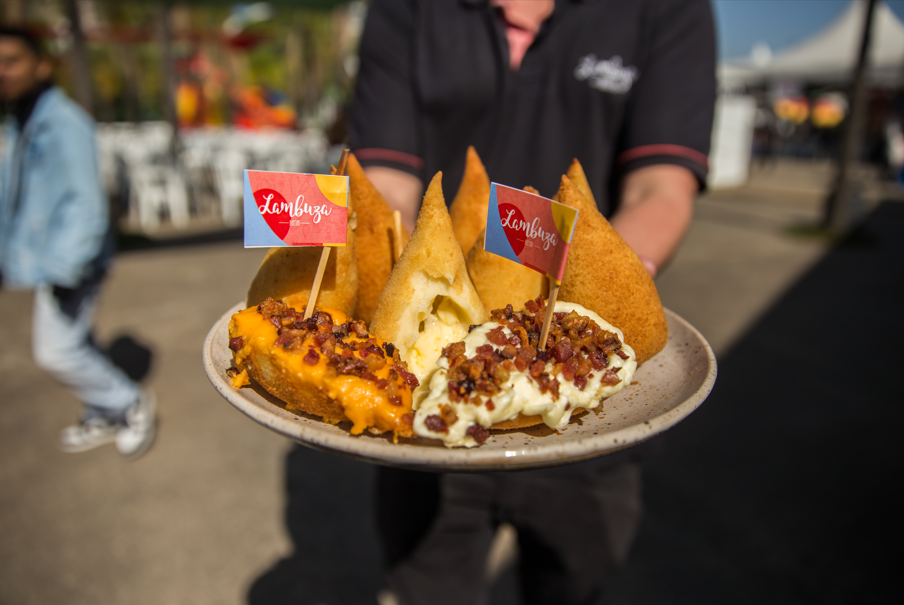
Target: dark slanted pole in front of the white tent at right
837	211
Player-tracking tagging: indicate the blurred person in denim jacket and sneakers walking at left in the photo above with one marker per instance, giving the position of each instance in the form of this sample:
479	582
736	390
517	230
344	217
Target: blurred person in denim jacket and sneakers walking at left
56	237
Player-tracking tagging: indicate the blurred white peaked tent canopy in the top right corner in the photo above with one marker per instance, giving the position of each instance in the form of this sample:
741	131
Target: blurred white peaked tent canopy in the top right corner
828	57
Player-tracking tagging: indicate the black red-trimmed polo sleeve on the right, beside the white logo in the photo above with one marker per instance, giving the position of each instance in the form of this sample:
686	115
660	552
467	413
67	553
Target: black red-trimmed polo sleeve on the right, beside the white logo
669	119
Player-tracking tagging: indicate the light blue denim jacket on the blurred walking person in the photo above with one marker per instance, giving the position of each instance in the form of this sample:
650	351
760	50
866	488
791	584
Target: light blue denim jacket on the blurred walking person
54	216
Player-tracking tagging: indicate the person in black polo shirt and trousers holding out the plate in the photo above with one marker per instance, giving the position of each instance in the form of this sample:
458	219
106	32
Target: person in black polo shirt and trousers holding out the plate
628	88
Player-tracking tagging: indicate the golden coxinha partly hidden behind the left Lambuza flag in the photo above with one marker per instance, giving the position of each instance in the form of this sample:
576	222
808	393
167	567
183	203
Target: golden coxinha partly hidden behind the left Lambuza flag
287	274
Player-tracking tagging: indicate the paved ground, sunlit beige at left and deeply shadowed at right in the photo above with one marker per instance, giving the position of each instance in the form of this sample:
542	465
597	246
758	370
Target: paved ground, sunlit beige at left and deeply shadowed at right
767	493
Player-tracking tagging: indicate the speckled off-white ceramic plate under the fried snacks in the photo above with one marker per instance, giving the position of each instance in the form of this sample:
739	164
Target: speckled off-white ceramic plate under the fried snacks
665	390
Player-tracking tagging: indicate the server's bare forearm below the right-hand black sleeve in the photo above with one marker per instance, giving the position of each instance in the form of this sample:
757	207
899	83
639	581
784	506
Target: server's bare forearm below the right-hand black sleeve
656	211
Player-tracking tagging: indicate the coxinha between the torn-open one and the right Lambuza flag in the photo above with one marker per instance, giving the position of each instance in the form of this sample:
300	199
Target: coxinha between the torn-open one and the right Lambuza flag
500	282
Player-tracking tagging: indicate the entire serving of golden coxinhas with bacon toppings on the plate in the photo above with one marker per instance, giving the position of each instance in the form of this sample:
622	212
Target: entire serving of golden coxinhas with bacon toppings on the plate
430	326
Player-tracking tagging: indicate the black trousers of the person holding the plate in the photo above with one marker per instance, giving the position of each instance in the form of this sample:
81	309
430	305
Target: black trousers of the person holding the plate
575	526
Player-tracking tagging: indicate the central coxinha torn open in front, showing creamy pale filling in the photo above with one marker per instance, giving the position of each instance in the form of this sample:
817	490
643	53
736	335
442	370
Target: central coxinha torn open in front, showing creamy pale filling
429	301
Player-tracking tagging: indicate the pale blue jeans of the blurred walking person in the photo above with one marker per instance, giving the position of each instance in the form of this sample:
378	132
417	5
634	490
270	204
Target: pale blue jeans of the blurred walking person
63	347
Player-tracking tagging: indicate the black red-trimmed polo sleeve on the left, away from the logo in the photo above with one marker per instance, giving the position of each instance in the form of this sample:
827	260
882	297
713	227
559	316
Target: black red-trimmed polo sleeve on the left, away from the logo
384	127
